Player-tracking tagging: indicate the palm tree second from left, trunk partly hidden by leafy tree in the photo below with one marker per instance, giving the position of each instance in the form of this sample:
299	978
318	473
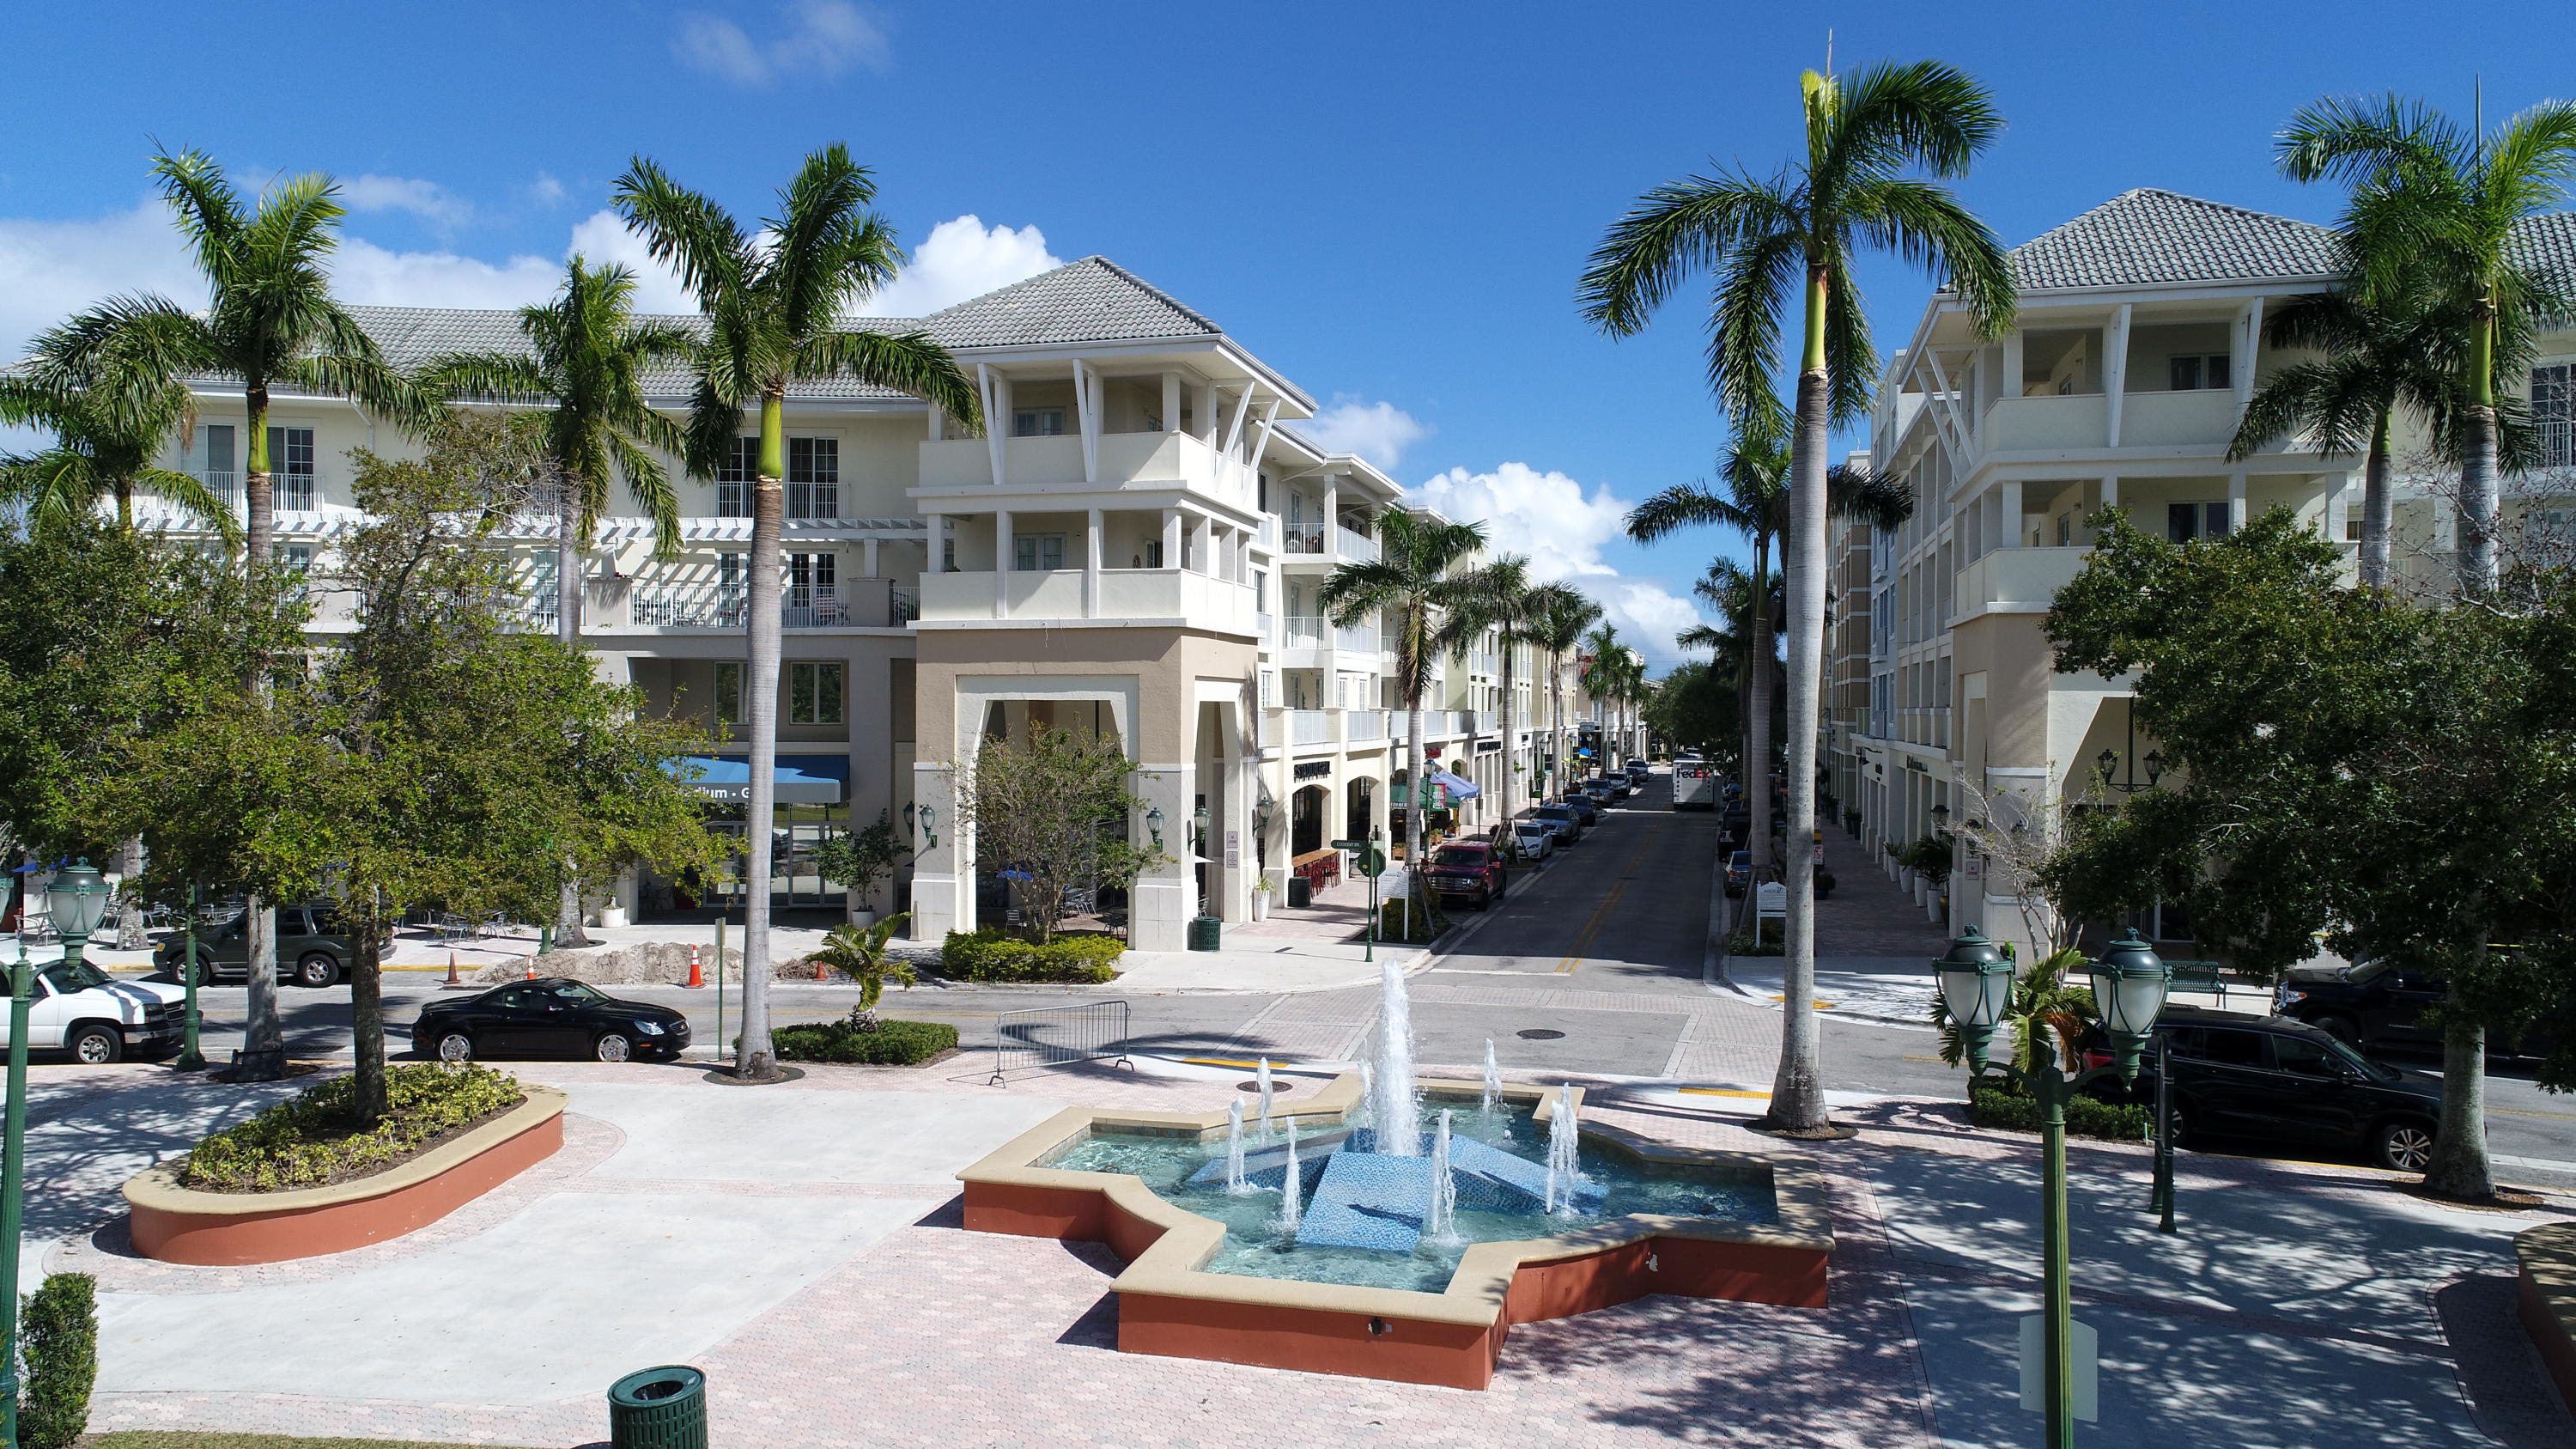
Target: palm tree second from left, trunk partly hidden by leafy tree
269	324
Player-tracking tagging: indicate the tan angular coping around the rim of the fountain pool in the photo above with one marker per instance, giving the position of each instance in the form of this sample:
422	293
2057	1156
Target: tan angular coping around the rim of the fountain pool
1475	1298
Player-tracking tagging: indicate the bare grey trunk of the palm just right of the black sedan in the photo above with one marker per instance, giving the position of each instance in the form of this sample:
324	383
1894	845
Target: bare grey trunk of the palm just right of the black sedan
761	723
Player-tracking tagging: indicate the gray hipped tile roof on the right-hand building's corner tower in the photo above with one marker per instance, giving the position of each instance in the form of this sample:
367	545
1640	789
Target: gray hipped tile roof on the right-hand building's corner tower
2150	236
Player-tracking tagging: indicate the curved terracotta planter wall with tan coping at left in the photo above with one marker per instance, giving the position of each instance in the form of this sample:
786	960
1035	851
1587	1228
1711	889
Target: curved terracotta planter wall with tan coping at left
223	1229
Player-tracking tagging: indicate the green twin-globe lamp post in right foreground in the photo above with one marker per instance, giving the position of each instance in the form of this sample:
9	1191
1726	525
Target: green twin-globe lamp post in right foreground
2129	984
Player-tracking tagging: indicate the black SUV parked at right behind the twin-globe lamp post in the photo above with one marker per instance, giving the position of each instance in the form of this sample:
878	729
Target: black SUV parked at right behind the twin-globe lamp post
2286	1082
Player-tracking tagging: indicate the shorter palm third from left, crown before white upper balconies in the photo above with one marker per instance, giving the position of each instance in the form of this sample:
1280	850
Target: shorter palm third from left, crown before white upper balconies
586	362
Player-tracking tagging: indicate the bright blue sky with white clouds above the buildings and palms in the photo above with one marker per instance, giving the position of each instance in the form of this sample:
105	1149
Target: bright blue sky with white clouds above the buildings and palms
1387	202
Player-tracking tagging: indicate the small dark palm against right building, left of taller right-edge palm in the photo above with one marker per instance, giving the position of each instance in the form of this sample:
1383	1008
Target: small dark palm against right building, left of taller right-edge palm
2379	357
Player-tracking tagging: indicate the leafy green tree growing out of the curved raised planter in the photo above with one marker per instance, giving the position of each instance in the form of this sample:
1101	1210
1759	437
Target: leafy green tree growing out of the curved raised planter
437	754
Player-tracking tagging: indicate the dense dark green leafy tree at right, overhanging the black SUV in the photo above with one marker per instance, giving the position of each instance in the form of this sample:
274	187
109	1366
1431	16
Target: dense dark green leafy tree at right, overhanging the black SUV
2340	762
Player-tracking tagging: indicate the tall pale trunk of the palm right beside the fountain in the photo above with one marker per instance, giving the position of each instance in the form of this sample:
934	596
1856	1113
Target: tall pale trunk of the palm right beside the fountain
1799	1084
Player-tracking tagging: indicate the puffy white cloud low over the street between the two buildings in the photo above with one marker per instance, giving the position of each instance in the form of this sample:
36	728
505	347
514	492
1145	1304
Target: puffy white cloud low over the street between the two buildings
1562	530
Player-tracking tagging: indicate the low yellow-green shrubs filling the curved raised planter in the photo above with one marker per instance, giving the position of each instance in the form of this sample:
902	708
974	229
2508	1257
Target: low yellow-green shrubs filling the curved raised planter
313	1138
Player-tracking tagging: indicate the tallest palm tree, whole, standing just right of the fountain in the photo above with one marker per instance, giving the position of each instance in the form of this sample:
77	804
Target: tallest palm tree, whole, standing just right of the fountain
1758	236
